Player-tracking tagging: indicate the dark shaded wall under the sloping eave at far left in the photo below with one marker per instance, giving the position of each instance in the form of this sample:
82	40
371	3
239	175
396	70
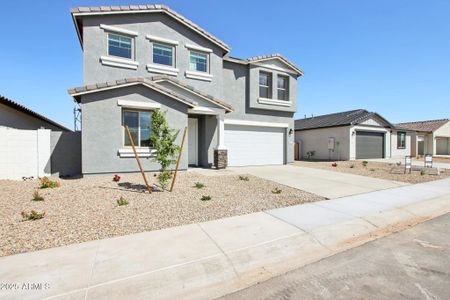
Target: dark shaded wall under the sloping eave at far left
12	118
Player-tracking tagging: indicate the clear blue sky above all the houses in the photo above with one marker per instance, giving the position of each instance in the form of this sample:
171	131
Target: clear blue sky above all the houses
392	57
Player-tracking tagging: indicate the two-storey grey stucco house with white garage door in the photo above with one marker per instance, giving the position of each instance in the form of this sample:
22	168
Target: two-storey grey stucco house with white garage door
140	58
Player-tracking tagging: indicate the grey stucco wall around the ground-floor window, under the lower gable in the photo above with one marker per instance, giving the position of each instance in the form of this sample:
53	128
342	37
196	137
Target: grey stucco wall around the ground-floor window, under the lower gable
102	131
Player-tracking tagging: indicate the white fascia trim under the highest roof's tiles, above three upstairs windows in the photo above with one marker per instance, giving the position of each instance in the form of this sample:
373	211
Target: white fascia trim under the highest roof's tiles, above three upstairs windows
178	18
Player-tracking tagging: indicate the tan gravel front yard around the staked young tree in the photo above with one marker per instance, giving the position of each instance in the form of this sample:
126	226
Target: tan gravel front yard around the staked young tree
86	209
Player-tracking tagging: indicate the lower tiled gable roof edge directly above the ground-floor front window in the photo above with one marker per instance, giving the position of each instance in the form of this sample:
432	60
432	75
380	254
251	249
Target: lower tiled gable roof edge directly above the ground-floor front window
98	87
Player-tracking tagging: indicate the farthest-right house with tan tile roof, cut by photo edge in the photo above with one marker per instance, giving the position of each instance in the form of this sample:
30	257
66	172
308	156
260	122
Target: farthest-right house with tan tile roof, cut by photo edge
431	137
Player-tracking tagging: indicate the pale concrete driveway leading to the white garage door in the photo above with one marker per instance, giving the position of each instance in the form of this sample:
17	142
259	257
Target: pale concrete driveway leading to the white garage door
320	182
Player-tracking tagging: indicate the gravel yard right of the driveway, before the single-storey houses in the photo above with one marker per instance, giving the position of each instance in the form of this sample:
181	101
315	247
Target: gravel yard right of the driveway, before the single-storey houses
377	170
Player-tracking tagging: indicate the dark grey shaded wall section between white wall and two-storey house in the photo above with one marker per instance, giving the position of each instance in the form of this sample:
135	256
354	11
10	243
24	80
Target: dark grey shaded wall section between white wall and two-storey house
65	150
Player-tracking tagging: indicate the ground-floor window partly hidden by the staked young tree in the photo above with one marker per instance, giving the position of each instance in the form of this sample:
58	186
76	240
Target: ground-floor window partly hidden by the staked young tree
139	123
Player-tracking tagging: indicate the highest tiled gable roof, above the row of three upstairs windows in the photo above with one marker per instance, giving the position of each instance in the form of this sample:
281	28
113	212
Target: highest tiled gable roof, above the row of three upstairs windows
156	8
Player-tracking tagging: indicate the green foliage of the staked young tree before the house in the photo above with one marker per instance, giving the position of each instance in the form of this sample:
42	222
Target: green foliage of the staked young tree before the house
163	139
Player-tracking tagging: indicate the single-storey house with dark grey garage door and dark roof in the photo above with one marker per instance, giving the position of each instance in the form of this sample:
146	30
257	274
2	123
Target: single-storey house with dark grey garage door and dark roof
349	135
